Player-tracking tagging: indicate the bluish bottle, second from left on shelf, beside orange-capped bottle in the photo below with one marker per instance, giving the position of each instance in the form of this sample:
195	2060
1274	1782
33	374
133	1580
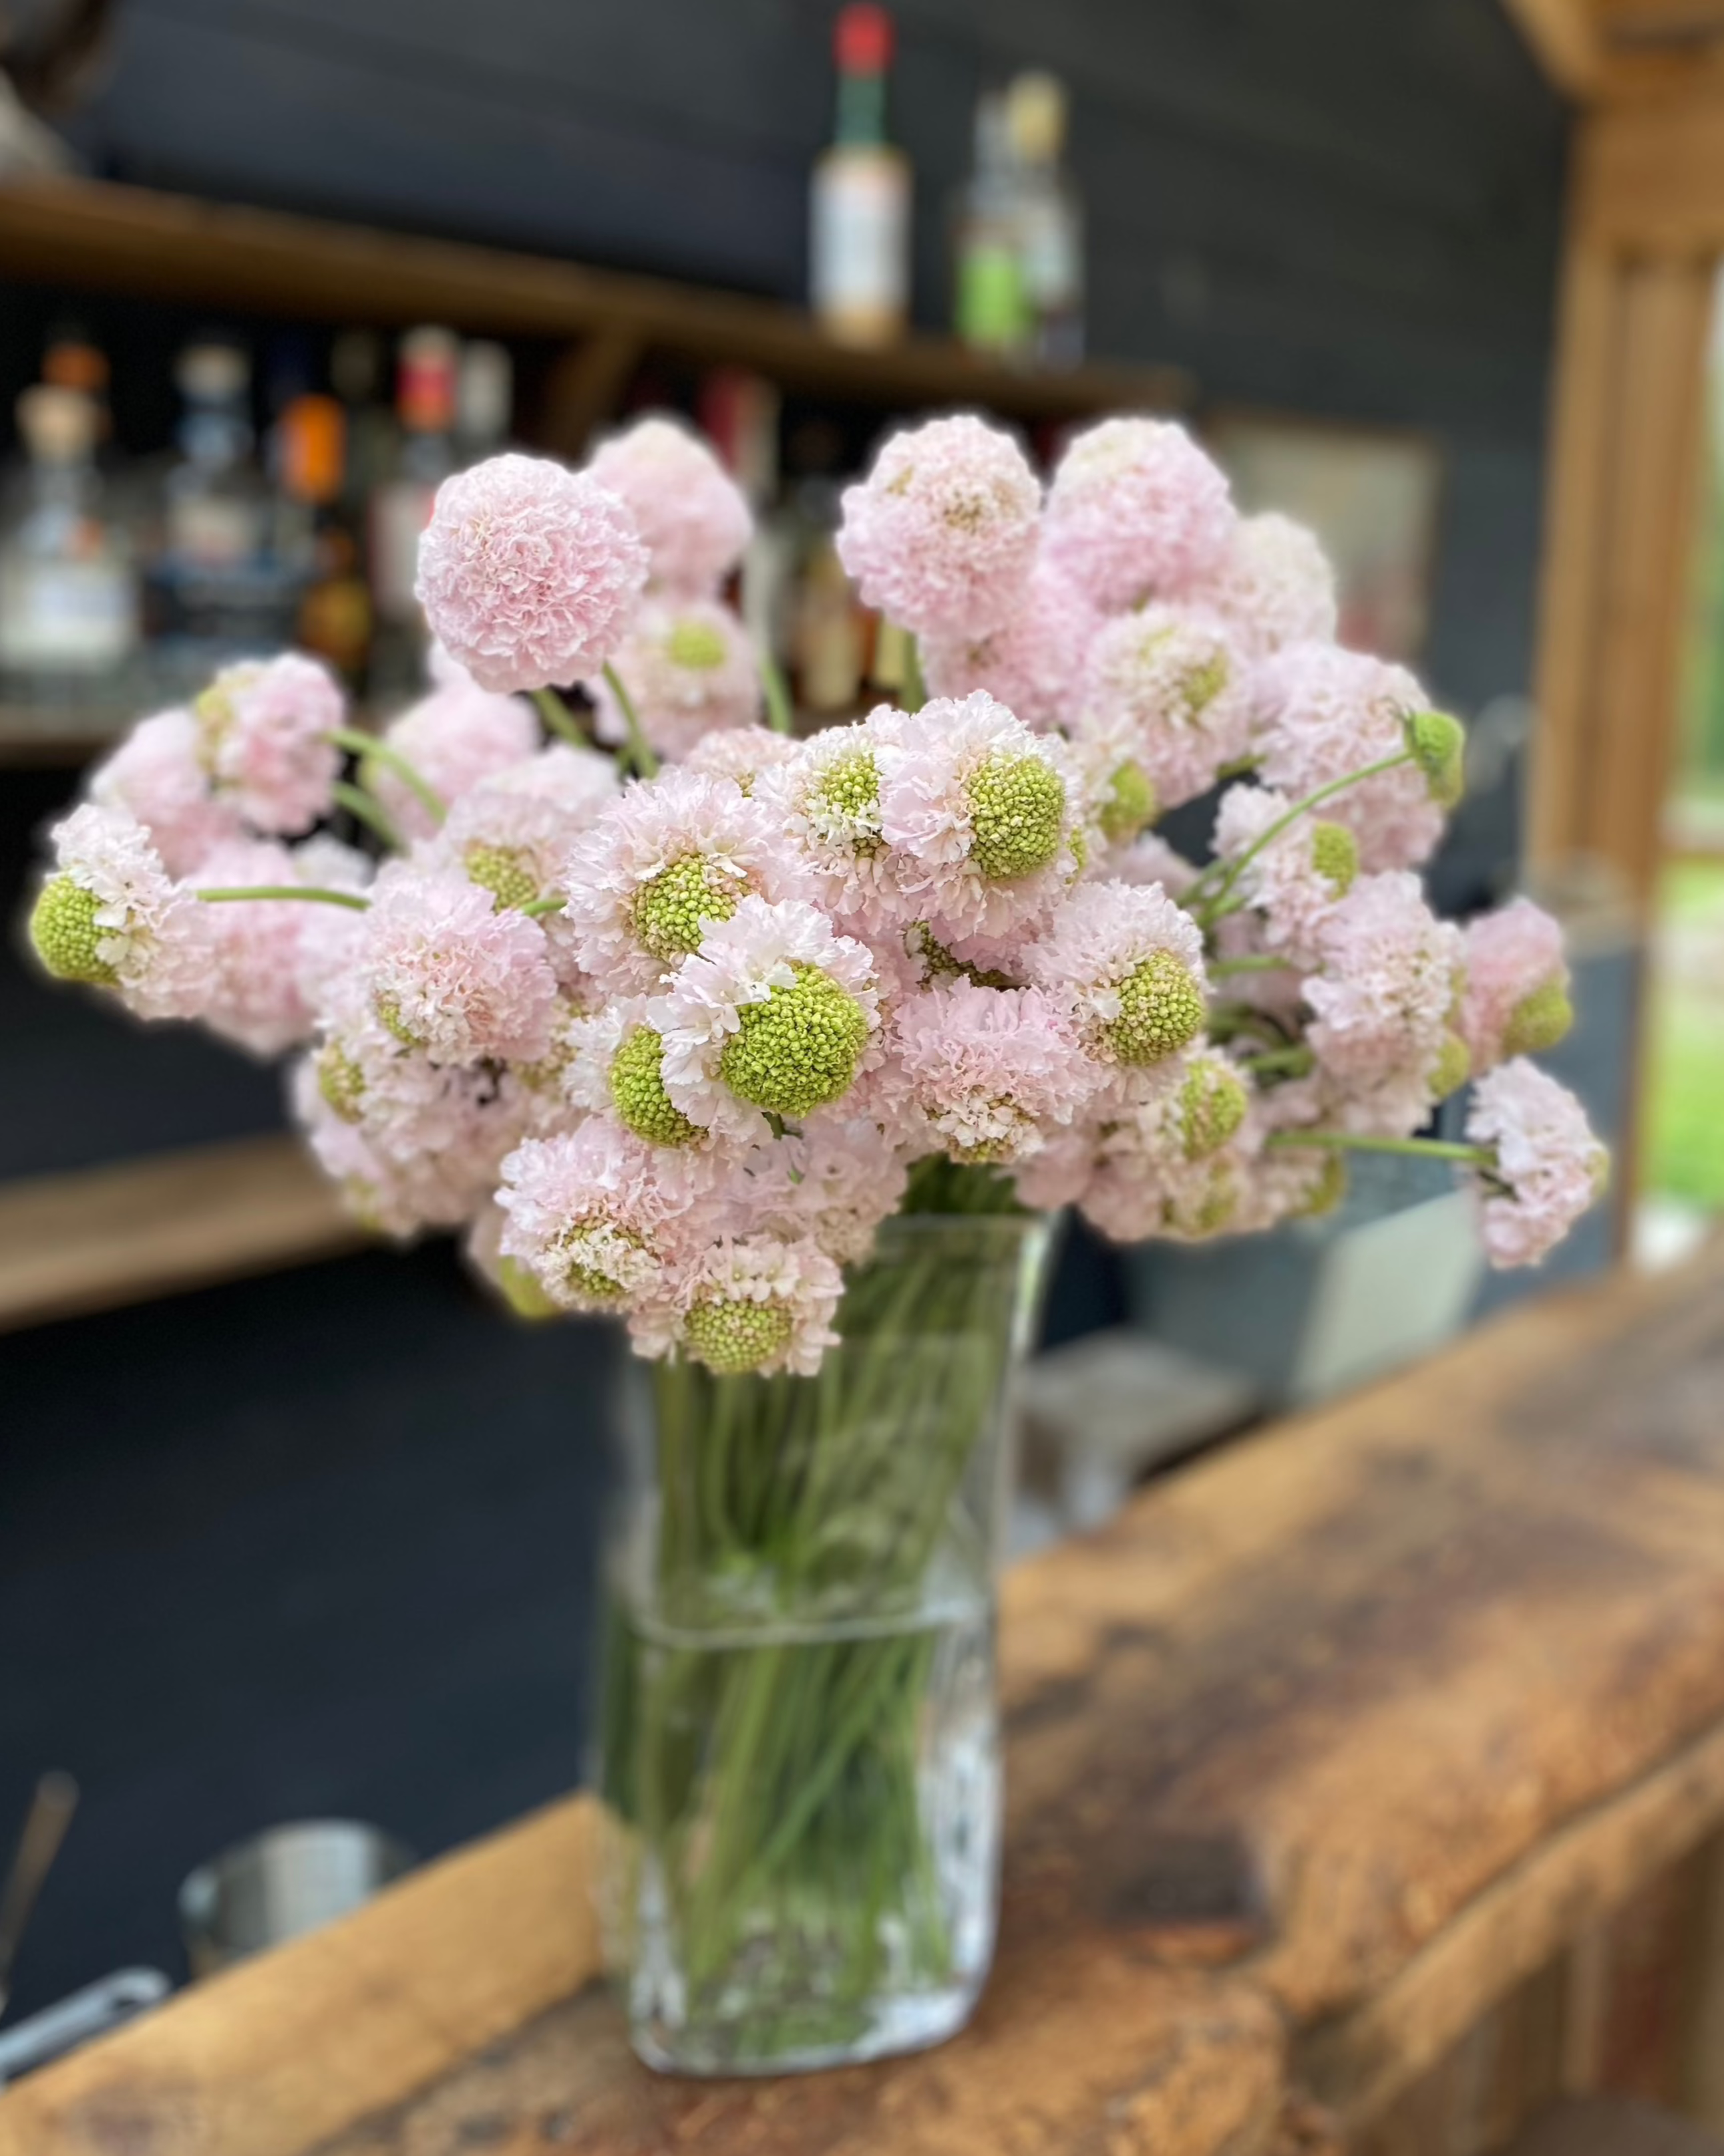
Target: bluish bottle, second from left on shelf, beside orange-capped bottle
217	588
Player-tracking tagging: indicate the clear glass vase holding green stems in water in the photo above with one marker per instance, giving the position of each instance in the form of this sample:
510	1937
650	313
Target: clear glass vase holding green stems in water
798	1732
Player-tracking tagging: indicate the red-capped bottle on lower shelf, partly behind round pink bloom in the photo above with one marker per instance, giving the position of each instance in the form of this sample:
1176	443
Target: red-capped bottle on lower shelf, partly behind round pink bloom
402	508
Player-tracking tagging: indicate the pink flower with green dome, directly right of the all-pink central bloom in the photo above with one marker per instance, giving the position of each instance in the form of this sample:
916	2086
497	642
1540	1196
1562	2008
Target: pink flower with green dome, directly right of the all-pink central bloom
1124	965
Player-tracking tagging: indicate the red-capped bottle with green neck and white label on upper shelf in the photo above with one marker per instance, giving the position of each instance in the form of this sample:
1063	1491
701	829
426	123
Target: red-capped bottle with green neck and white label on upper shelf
861	195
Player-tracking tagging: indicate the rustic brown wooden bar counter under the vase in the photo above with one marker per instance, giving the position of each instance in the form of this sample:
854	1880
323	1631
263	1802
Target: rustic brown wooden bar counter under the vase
1322	1756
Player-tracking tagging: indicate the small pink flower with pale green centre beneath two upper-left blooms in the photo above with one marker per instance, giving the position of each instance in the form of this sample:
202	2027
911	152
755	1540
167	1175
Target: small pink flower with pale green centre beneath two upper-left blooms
689	669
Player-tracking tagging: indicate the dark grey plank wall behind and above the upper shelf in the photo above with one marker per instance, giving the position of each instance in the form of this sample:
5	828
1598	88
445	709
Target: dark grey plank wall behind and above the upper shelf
1335	206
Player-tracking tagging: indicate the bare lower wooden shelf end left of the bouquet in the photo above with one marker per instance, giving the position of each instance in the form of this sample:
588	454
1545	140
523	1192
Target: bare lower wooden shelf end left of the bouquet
150	1228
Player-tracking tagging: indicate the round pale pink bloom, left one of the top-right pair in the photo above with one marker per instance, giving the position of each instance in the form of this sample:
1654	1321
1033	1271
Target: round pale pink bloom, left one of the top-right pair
943	531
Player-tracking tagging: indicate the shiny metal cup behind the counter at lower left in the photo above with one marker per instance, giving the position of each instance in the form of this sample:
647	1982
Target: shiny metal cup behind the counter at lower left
279	1885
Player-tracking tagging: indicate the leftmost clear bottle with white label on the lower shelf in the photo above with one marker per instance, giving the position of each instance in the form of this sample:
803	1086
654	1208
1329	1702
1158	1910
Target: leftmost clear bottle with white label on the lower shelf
68	585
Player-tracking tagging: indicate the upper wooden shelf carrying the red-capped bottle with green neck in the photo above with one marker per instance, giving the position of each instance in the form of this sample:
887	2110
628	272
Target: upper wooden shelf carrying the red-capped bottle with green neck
173	247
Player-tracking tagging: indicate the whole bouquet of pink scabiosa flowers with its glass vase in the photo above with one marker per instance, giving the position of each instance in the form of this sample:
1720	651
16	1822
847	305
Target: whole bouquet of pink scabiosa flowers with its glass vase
783	1051
